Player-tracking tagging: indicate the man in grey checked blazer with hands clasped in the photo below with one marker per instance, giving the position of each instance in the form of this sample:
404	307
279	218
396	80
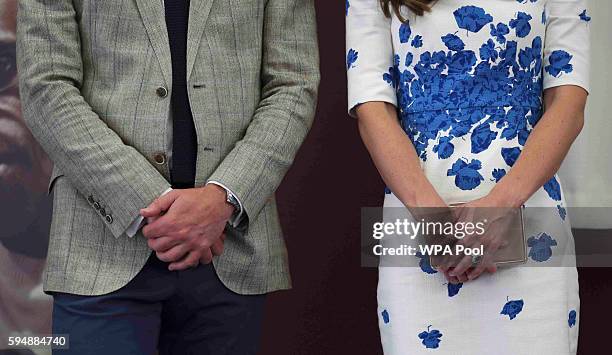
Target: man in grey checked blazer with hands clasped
117	92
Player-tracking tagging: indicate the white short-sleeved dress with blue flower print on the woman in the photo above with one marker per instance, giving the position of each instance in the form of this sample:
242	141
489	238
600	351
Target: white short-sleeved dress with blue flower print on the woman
468	79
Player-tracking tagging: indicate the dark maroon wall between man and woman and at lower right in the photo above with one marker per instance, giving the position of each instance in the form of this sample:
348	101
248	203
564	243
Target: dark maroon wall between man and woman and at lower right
332	307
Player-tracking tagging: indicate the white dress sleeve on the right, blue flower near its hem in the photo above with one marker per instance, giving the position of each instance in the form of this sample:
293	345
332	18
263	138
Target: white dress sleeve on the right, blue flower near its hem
567	44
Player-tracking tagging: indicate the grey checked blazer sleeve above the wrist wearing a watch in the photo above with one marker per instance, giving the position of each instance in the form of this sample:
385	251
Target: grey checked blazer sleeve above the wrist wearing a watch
254	168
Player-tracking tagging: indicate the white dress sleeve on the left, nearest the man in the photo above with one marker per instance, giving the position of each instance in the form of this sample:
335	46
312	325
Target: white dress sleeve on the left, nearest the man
369	53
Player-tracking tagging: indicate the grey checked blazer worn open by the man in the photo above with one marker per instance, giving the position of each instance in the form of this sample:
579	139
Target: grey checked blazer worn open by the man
95	80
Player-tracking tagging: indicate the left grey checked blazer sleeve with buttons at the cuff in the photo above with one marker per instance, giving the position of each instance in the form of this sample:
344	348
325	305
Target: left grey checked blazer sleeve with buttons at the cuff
91	155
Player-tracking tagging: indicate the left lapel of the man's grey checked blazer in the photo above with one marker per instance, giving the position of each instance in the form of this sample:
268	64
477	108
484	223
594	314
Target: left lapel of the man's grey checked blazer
154	19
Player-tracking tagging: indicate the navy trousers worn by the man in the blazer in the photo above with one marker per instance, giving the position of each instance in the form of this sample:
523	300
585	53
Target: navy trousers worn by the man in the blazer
186	312
